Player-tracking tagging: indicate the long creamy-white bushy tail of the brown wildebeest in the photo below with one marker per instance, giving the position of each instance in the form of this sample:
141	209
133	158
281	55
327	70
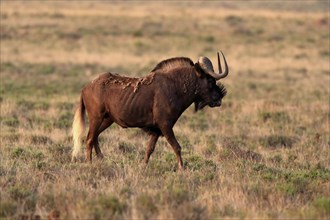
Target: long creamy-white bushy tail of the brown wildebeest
78	128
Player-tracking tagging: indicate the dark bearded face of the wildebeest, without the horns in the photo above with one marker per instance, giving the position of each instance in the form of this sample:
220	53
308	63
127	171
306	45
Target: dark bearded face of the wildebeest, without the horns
209	93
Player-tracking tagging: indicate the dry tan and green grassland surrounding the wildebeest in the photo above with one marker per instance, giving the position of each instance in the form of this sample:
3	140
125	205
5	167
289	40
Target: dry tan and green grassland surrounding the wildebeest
263	154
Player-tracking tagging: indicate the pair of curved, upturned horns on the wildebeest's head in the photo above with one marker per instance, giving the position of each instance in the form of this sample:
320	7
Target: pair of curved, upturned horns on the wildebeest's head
206	65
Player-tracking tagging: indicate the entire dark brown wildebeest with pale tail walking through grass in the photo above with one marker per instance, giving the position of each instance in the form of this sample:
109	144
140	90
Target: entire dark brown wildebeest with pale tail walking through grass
153	102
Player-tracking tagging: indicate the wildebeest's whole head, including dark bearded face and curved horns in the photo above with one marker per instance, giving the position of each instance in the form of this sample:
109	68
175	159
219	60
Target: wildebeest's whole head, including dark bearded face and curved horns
208	92
